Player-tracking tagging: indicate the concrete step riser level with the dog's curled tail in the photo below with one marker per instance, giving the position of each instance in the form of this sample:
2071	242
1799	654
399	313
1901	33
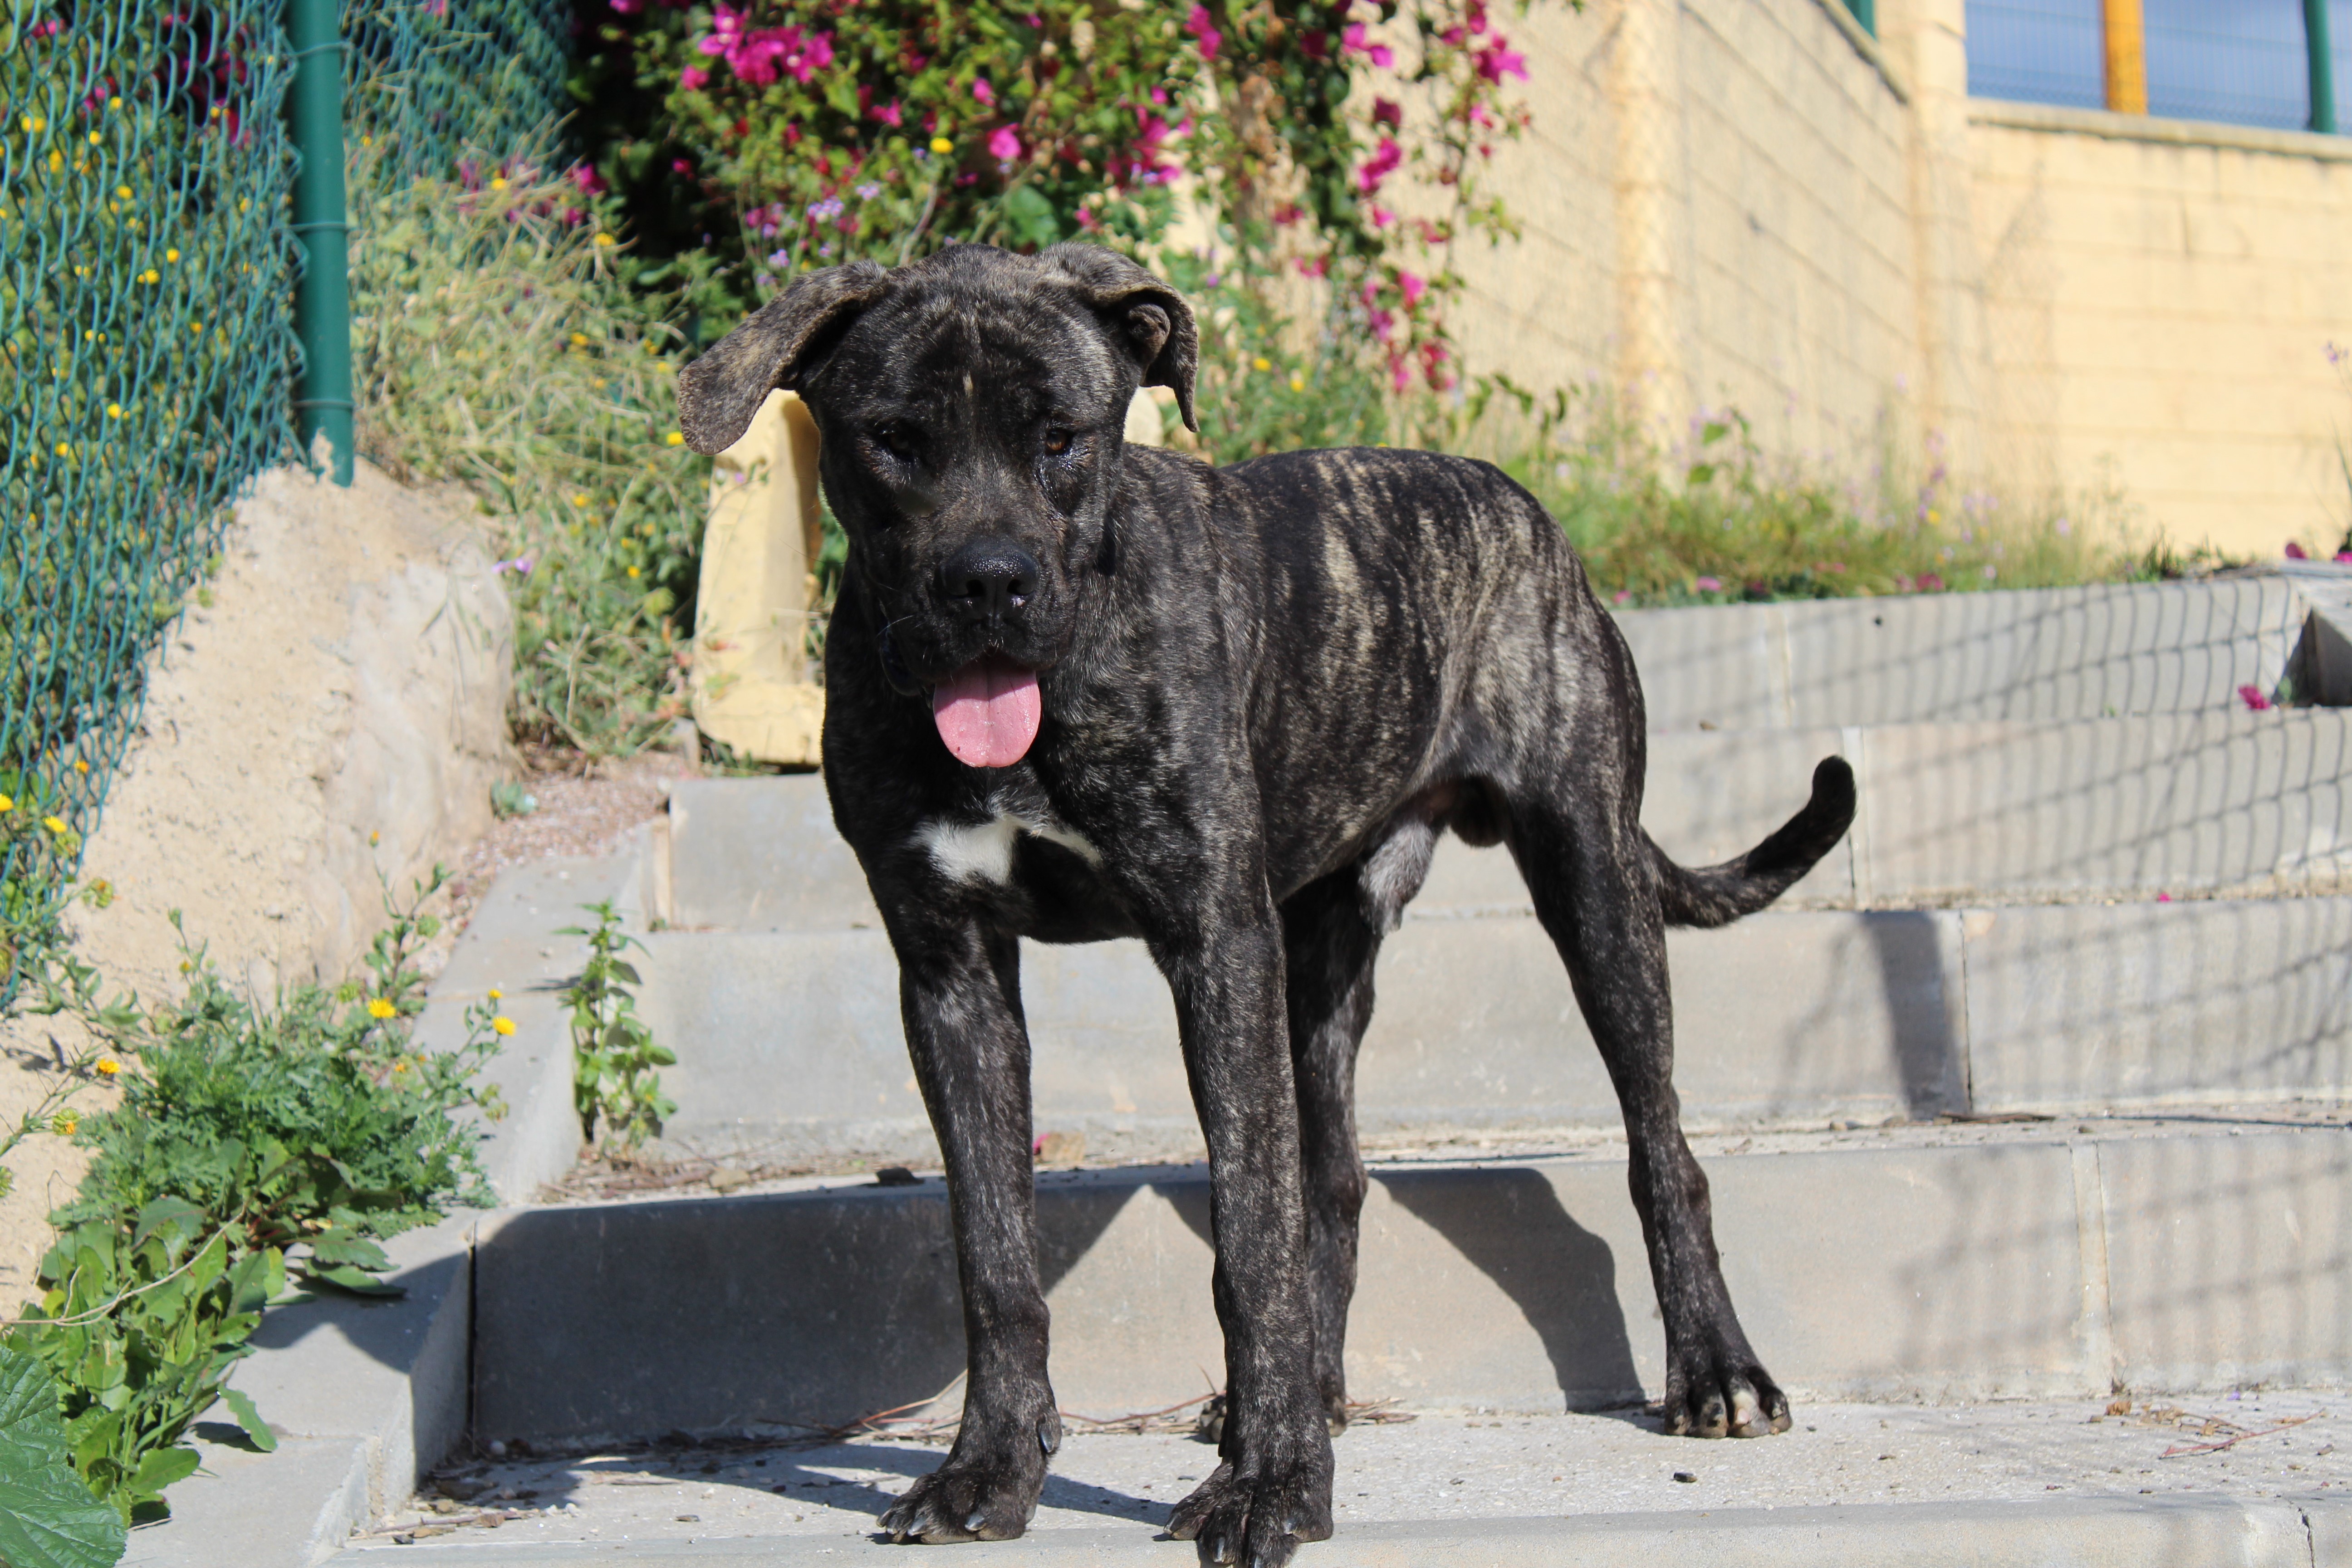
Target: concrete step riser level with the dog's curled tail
1991	812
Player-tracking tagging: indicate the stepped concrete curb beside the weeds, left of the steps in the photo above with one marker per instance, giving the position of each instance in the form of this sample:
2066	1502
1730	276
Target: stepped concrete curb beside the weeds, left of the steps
368	1395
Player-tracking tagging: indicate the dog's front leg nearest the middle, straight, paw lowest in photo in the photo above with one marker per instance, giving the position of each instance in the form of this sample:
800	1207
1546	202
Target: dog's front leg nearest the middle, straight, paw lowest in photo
1274	1487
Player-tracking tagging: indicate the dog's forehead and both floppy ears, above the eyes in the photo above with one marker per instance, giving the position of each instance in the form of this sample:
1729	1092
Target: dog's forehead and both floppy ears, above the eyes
1074	319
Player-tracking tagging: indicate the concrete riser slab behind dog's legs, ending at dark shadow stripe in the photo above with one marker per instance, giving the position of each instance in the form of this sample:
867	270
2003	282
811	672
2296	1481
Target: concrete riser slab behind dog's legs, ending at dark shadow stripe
791	1045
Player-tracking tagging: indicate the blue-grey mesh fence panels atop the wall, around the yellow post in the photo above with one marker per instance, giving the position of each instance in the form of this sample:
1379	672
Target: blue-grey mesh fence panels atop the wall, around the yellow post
2238	62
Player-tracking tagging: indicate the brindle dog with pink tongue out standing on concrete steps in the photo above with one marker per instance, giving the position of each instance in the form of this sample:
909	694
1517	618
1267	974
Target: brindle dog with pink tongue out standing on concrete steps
1081	690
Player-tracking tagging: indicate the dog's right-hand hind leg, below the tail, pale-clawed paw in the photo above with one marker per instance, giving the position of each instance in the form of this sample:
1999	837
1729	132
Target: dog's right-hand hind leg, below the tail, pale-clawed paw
1591	876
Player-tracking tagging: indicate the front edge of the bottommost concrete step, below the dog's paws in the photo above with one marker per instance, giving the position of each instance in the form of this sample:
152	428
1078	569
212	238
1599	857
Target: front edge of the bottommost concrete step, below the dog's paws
2073	1534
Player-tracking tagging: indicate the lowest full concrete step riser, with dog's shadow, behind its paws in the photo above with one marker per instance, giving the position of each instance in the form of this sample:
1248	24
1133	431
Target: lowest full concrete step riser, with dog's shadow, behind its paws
1944	1266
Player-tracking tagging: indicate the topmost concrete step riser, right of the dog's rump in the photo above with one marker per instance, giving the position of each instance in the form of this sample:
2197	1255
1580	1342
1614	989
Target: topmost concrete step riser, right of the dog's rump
1970	657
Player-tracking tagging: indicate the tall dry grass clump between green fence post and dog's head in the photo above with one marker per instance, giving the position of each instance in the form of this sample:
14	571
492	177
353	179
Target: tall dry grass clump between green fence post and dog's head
500	344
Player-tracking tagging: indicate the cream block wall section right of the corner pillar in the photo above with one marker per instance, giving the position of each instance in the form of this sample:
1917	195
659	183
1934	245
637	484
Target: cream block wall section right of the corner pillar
2160	300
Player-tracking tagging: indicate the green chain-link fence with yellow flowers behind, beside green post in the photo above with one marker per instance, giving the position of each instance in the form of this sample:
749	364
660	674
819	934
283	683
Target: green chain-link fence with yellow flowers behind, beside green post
147	342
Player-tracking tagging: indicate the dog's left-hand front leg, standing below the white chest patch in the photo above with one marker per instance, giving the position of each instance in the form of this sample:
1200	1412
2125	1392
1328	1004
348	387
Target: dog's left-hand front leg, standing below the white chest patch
961	993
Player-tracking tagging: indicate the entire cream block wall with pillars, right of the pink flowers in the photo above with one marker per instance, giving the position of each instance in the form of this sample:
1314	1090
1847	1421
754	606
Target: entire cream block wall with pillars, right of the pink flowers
1756	203
